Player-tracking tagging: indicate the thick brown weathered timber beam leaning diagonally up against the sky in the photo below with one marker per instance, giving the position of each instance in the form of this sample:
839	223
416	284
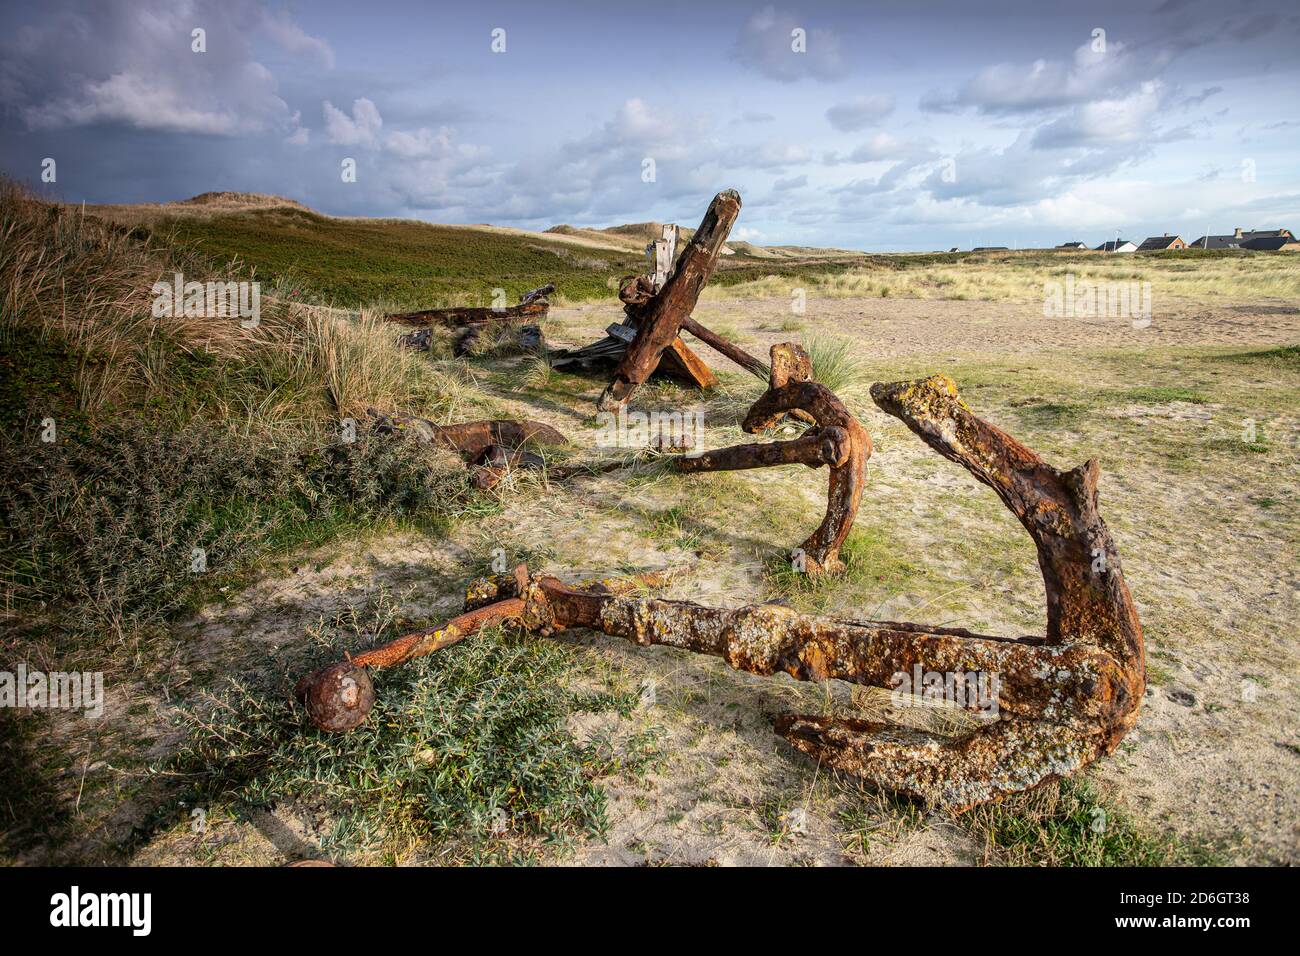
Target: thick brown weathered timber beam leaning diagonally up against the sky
664	315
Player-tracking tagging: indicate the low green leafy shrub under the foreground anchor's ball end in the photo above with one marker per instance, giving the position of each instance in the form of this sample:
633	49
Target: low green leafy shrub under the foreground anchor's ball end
466	756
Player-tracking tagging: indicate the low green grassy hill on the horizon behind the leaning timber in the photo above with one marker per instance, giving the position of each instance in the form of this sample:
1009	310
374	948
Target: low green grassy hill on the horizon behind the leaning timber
396	265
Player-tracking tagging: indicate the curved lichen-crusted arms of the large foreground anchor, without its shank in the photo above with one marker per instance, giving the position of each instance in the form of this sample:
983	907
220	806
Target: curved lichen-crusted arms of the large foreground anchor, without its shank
1087	676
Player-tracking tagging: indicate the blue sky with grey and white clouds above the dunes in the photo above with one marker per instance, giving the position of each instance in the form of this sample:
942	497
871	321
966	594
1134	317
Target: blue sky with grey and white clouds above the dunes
882	127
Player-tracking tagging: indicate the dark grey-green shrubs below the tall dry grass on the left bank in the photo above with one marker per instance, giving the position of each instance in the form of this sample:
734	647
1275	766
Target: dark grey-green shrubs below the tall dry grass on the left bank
110	535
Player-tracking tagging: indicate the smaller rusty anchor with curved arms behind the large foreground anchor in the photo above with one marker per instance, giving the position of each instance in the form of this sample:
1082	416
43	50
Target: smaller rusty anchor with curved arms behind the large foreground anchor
837	439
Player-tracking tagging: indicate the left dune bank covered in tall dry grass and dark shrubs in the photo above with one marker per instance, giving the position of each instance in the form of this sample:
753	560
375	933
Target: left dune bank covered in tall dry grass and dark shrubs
131	440
